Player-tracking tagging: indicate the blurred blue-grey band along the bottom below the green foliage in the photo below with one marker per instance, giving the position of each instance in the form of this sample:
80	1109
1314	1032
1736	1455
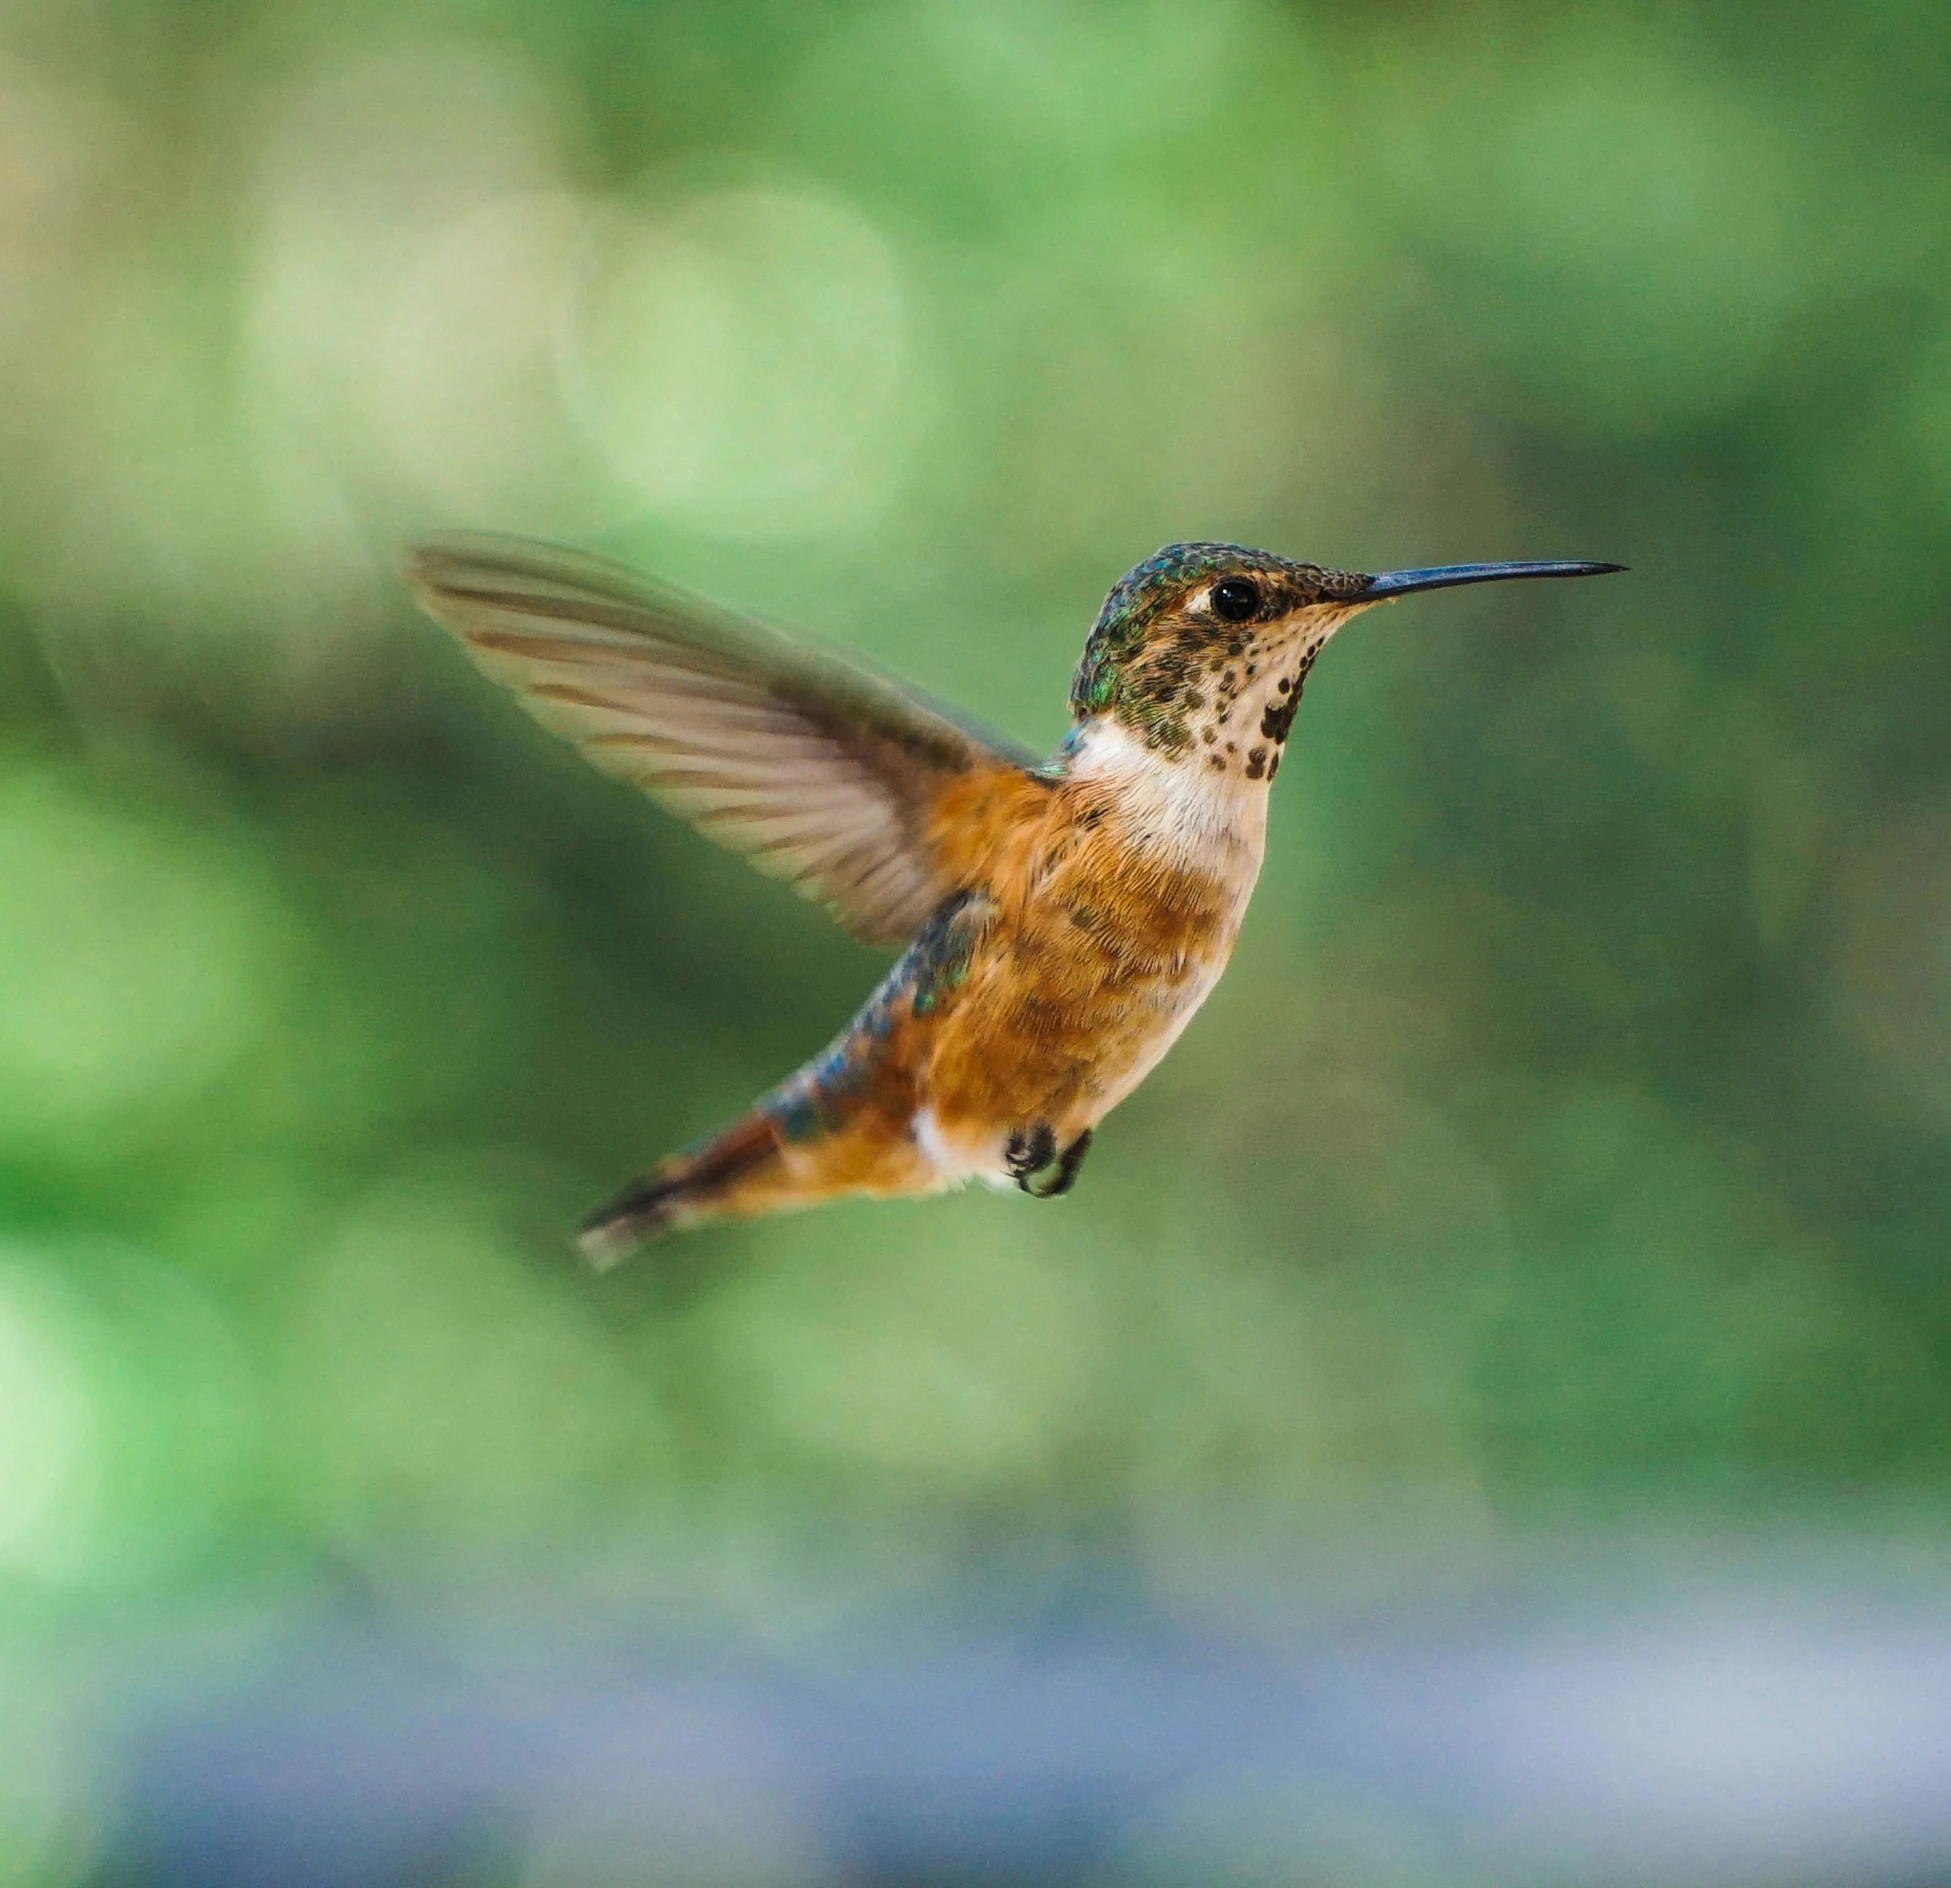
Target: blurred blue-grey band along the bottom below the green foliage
1778	1717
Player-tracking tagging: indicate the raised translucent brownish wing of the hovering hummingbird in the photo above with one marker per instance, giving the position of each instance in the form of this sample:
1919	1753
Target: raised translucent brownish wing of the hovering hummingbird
824	773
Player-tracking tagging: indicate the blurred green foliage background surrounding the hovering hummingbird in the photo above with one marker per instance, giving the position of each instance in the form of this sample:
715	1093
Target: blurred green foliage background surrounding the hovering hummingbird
1570	1138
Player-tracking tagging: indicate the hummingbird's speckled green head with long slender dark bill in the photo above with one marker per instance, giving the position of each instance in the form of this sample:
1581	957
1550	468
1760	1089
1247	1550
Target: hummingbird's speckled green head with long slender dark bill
1203	650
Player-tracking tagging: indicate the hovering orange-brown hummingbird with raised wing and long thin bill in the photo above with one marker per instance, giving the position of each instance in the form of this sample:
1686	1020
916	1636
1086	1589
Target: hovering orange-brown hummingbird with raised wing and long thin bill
1058	920
